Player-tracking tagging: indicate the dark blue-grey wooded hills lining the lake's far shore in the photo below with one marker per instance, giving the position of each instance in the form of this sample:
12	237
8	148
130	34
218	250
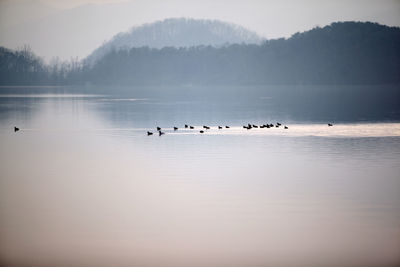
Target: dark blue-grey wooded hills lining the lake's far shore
341	53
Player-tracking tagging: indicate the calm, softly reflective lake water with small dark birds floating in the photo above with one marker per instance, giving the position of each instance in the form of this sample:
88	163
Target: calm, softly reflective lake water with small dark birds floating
83	185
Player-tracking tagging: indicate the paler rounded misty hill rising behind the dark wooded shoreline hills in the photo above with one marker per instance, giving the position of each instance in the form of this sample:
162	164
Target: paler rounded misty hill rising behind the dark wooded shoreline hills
178	32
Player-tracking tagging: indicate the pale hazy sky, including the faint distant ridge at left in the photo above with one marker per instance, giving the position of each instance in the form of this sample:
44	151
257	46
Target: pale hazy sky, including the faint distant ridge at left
76	27
